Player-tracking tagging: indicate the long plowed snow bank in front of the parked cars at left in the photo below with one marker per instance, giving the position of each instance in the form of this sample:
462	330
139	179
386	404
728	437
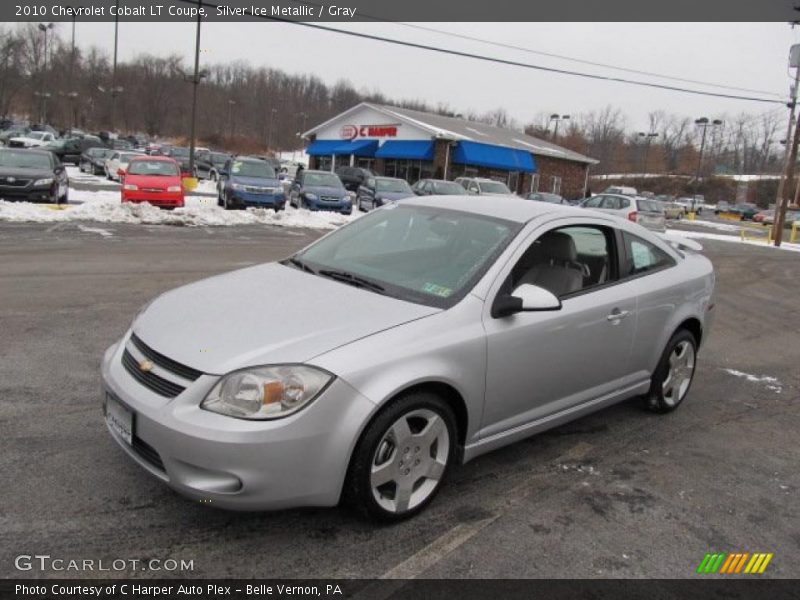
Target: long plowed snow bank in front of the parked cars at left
198	212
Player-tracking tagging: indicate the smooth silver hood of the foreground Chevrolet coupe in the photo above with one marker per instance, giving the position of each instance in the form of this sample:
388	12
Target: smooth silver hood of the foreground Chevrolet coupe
265	315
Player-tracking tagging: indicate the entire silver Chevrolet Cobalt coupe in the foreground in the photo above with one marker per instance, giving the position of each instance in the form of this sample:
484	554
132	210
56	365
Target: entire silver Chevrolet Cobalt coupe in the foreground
415	338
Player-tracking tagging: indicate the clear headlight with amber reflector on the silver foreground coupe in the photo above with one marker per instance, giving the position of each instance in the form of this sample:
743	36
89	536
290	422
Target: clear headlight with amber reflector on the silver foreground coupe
269	392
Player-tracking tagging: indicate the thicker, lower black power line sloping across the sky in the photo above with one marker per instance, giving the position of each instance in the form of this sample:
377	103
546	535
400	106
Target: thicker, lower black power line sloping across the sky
502	61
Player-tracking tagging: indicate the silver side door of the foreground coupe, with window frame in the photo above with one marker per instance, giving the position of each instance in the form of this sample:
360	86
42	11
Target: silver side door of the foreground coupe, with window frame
540	364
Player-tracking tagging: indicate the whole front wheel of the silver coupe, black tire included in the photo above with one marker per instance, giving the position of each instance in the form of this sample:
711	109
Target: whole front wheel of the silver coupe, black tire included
402	458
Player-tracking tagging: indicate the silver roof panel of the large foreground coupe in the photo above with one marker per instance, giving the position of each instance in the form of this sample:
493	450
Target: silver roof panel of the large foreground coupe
509	208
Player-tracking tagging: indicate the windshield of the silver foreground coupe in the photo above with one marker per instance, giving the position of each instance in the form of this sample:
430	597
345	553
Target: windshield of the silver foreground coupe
421	254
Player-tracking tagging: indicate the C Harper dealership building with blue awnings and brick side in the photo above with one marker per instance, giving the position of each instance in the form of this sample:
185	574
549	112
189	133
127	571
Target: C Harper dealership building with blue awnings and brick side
398	142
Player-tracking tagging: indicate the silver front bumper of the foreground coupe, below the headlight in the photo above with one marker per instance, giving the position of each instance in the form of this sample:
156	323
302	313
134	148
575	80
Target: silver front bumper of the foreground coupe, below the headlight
300	460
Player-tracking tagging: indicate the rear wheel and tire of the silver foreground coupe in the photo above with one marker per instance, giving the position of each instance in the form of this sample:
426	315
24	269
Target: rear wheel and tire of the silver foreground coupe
673	377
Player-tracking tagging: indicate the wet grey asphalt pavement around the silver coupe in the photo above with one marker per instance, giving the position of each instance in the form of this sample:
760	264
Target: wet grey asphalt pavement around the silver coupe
622	493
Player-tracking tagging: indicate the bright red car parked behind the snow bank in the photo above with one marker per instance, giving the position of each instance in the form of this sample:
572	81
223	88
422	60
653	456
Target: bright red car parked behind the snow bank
153	179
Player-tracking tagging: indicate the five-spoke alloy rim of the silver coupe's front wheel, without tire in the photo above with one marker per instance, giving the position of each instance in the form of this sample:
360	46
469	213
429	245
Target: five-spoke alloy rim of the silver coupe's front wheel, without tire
410	460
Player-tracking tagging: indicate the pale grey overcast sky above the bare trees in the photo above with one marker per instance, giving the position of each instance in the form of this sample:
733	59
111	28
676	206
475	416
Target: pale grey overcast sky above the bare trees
747	55
